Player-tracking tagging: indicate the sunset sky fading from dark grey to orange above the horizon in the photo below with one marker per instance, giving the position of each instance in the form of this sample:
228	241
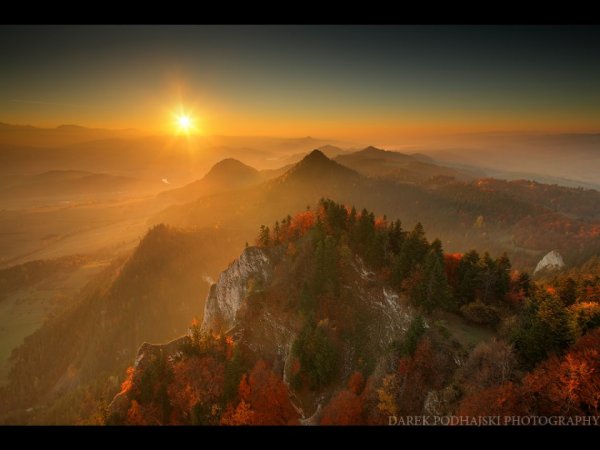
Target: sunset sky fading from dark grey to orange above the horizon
343	82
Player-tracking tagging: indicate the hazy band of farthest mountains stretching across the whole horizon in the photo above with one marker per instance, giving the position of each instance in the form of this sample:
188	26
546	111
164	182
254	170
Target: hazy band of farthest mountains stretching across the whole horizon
566	159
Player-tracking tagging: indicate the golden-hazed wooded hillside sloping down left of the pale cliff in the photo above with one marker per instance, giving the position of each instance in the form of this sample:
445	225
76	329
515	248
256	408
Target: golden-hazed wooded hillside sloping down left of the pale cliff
151	296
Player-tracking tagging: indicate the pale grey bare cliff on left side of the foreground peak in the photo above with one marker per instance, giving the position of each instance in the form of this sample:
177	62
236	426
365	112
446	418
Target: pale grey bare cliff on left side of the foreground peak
252	269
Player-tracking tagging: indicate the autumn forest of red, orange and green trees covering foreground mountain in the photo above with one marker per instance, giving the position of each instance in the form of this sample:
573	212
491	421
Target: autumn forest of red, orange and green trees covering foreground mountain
533	335
